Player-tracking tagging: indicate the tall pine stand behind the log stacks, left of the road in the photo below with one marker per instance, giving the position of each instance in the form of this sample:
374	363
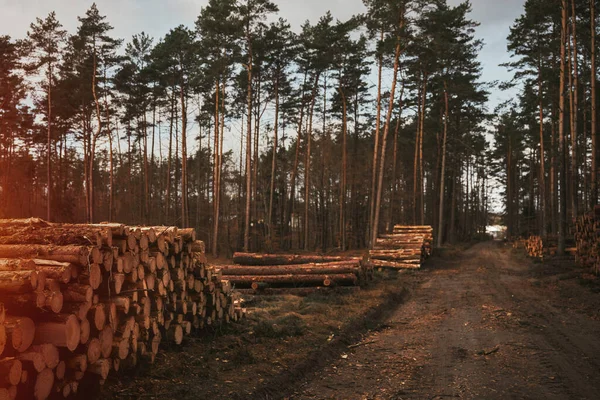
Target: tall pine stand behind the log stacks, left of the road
344	128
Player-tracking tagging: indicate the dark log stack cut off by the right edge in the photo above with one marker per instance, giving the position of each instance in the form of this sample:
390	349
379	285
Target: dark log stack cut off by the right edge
587	238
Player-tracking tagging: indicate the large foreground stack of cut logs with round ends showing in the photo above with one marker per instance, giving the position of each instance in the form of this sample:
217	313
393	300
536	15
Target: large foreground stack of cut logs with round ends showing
80	301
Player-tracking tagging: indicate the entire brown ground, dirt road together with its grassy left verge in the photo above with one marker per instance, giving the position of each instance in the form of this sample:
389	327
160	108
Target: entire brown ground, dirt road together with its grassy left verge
484	322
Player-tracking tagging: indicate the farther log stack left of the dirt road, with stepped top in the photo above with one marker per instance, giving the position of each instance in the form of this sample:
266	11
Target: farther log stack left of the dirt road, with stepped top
407	247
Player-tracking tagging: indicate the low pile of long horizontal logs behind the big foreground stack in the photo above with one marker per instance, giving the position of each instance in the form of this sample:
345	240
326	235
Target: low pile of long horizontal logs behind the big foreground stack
255	273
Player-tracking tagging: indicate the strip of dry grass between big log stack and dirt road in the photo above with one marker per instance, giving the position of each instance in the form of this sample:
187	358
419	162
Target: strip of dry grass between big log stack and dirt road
279	333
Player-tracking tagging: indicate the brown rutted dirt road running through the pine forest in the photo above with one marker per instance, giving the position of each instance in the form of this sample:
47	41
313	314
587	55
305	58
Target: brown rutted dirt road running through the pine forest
480	326
